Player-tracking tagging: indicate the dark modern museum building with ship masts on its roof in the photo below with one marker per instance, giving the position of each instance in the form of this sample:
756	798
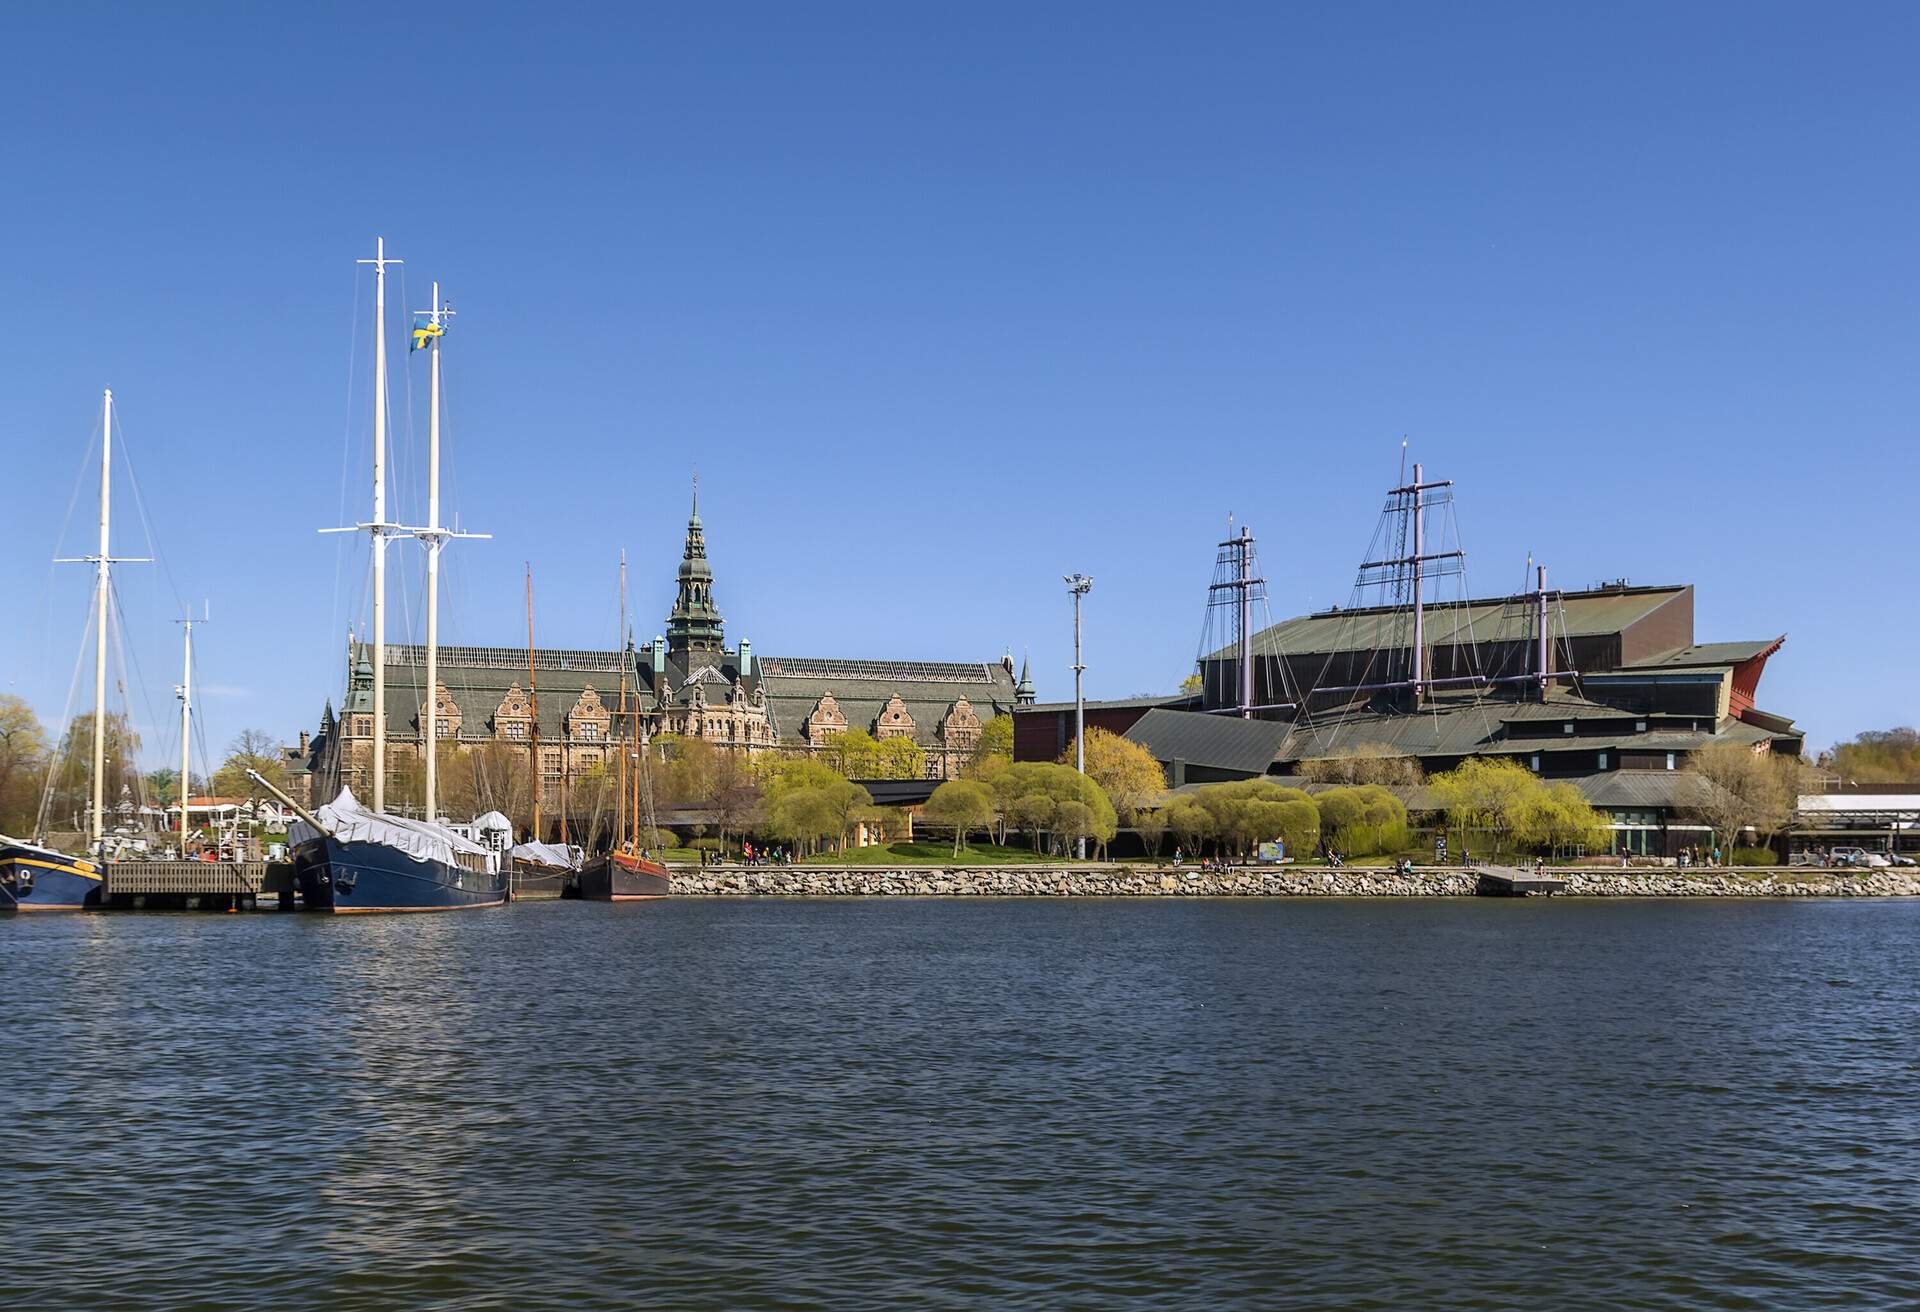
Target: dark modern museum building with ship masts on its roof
1604	687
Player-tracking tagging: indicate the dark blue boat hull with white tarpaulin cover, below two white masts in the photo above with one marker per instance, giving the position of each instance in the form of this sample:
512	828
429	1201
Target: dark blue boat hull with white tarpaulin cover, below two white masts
352	860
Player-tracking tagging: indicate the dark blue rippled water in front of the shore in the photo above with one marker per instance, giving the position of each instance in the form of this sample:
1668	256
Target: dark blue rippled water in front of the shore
969	1104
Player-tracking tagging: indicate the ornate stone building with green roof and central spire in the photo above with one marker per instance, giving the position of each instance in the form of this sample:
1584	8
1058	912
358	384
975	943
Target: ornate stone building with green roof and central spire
686	681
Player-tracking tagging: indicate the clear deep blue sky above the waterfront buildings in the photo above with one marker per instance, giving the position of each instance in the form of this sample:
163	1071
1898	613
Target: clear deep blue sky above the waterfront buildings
946	303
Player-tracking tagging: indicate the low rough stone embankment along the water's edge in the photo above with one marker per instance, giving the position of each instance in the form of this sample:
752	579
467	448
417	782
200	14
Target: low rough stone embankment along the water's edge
1132	881
